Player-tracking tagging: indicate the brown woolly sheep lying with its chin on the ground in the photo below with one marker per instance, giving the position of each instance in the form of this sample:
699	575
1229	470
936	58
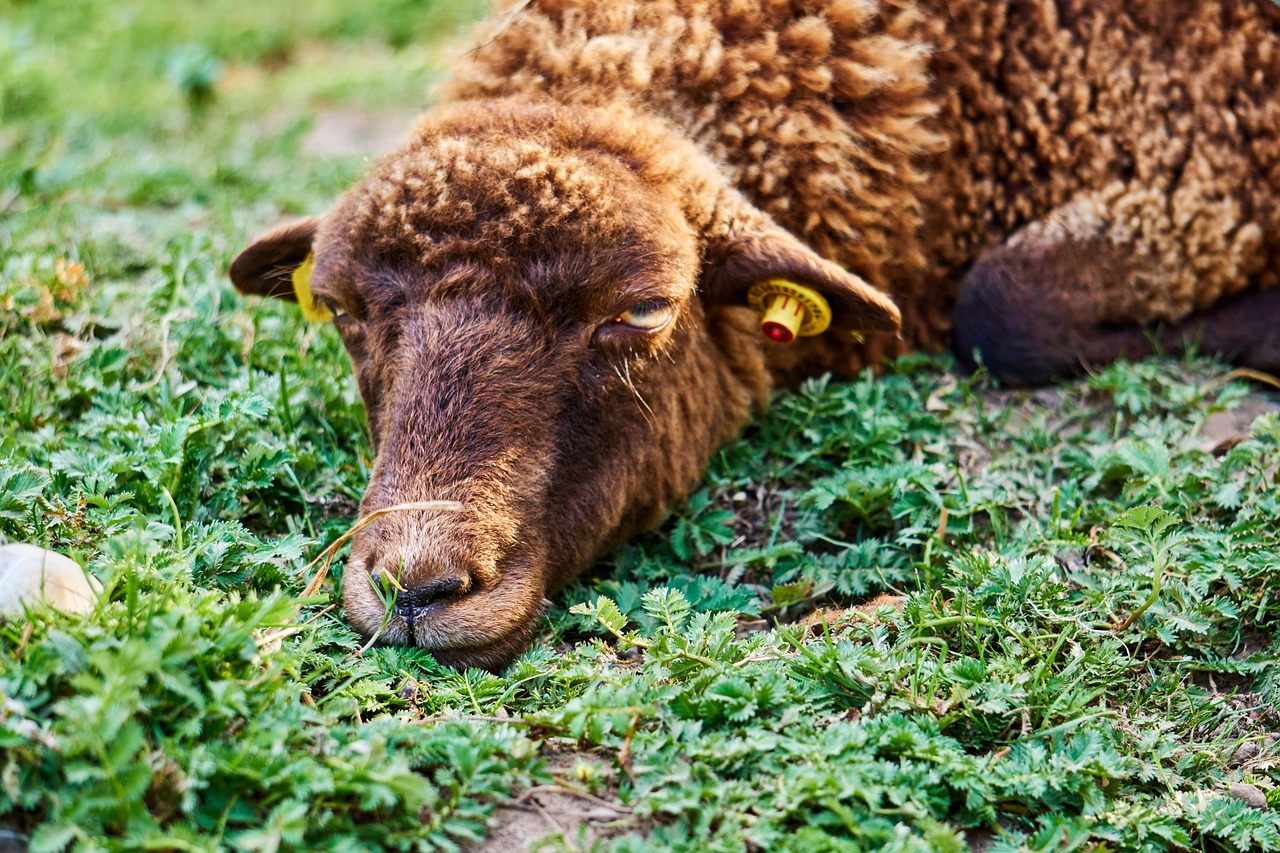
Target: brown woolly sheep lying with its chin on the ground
545	293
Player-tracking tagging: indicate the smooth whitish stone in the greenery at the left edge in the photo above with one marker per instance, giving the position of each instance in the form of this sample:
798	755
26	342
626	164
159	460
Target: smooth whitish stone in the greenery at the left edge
29	574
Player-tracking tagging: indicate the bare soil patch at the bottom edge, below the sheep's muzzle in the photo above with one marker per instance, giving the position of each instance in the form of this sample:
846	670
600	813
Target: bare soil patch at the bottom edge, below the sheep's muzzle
564	811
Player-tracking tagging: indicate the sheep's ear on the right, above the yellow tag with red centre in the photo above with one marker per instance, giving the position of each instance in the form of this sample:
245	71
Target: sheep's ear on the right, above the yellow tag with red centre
772	254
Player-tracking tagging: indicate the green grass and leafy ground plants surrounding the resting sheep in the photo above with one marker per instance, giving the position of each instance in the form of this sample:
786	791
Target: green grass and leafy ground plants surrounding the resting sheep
1078	651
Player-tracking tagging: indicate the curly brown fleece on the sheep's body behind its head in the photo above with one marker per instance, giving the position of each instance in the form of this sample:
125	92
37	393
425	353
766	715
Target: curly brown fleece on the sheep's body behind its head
903	139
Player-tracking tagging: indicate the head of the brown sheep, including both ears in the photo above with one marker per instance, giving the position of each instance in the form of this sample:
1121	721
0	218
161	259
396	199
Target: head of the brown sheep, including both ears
545	332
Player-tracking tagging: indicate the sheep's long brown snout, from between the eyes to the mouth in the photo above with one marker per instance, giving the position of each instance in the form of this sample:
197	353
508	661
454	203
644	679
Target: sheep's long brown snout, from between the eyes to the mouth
460	413
